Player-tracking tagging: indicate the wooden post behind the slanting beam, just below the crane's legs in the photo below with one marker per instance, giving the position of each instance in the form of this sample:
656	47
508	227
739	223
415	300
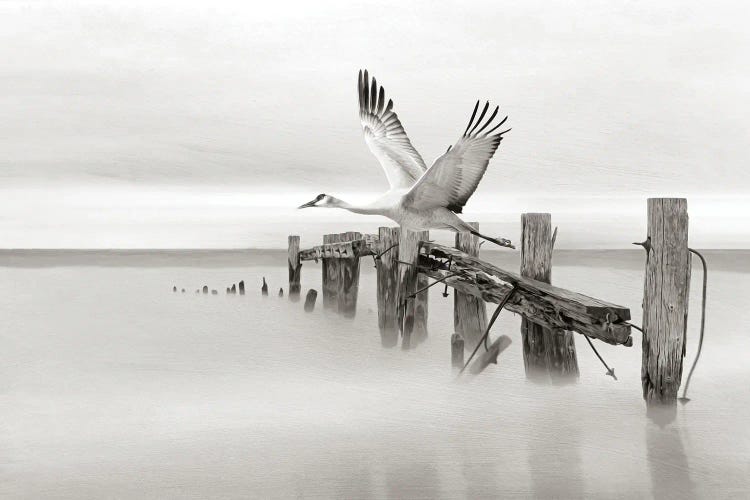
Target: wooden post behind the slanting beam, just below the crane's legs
469	312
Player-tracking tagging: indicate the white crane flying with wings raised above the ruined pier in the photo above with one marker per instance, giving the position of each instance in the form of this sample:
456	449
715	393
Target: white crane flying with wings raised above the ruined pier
421	198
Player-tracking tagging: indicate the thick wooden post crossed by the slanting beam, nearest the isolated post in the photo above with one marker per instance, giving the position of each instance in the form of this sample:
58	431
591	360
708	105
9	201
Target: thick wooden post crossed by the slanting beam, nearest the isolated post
547	354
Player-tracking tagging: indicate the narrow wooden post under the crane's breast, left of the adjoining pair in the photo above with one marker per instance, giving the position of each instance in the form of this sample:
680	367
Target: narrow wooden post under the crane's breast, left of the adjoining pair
388	284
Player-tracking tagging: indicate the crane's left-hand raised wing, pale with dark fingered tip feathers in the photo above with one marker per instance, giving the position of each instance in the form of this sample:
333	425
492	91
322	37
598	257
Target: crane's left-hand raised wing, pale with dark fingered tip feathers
386	137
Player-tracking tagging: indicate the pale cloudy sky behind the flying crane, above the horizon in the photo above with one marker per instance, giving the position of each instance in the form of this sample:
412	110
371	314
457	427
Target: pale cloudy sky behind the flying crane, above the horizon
201	124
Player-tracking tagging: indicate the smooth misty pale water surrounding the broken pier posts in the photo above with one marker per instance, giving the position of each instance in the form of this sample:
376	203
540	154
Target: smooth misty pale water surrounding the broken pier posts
112	386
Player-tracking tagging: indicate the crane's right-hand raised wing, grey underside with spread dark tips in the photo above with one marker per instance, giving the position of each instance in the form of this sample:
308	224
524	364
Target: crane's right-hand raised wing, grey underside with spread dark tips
454	176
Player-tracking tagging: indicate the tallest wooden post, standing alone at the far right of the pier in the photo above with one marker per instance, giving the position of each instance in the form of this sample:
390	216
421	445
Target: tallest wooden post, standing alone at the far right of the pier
665	299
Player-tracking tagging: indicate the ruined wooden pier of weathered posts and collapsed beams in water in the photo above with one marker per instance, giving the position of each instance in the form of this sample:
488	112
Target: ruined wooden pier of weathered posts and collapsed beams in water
405	260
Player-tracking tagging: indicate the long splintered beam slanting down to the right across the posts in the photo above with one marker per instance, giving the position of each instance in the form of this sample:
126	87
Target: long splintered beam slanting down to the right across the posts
547	305
